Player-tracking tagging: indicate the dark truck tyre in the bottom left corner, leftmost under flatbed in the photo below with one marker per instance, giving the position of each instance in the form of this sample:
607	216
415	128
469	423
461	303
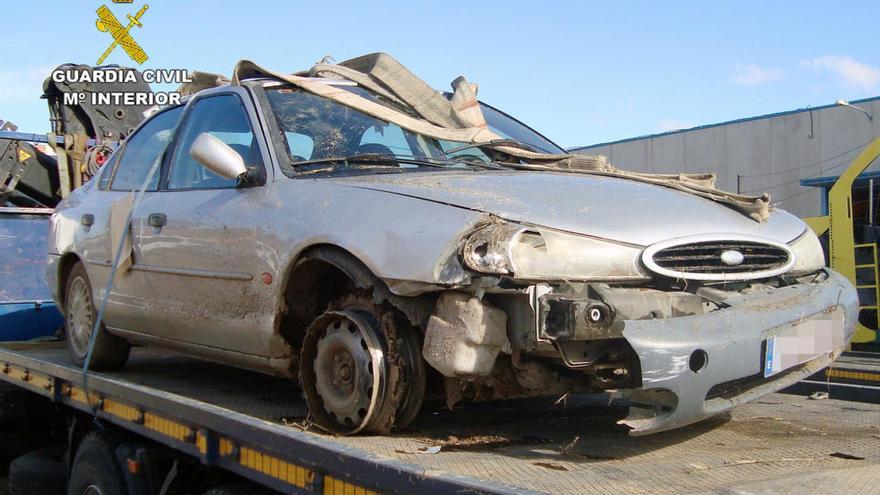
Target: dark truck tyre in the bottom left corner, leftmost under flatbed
42	472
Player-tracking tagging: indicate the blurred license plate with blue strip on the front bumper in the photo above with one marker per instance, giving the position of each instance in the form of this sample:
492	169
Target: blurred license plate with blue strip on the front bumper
802	342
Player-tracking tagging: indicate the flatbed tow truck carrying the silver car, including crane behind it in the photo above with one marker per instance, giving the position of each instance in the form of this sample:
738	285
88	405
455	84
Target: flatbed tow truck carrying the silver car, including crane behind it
173	424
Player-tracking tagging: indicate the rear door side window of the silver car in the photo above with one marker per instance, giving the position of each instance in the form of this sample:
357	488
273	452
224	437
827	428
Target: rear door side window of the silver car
142	150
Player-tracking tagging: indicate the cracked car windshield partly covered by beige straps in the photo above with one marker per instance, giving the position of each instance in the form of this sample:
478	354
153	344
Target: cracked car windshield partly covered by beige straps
324	136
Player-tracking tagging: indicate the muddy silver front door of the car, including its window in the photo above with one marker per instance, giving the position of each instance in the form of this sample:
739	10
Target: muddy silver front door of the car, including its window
199	242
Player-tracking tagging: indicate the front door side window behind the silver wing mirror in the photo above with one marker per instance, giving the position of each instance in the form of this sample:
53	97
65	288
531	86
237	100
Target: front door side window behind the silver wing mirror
225	118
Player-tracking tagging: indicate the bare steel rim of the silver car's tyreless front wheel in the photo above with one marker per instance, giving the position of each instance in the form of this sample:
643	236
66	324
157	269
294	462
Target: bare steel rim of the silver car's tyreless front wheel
349	371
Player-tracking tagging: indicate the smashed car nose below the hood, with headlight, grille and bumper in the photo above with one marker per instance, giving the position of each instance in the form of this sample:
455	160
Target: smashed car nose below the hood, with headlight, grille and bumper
682	329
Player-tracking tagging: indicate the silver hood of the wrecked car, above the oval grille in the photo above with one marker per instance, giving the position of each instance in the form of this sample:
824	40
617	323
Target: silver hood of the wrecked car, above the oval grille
607	207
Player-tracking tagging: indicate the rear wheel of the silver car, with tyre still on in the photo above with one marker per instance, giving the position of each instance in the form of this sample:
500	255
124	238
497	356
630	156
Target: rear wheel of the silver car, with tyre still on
110	352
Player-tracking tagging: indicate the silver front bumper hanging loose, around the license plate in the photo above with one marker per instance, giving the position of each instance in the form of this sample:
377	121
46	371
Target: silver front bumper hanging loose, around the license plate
734	341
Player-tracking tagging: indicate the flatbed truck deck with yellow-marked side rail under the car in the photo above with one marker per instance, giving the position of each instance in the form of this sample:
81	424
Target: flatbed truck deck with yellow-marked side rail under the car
780	443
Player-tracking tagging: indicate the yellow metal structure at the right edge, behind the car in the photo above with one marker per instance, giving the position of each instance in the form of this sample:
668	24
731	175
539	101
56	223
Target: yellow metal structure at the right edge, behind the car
839	224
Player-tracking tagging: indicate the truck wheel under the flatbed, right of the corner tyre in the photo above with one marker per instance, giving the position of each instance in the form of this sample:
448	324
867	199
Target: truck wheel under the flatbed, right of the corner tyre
95	468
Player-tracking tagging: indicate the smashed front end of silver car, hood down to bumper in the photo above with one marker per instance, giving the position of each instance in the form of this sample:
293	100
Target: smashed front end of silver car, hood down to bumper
681	306
